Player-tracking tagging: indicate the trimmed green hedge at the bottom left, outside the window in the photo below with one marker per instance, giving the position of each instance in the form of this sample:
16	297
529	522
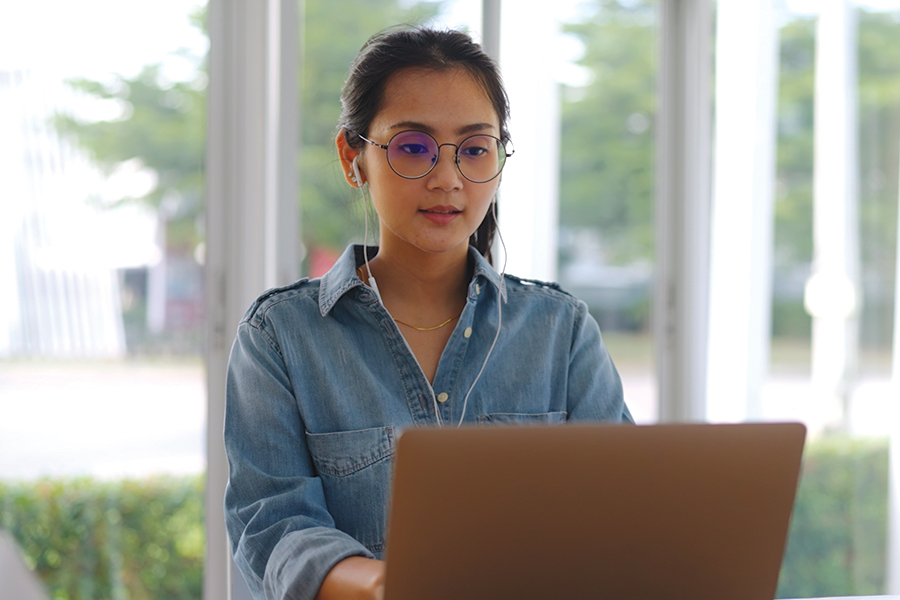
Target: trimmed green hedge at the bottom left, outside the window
132	539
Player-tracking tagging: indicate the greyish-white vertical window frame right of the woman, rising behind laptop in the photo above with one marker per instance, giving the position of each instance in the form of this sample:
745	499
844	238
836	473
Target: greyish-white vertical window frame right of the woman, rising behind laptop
682	207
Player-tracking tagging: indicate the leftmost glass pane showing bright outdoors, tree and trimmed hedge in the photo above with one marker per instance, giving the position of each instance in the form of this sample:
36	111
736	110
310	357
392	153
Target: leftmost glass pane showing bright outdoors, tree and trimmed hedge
102	399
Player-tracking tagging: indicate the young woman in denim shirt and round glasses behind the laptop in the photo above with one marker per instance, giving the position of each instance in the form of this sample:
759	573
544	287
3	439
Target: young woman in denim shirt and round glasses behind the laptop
420	331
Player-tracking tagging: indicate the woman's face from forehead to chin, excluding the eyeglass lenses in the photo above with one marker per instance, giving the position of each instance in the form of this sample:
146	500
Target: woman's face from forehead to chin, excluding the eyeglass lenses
438	212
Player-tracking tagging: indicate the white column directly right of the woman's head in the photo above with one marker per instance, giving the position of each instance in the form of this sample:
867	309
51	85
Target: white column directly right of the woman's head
529	201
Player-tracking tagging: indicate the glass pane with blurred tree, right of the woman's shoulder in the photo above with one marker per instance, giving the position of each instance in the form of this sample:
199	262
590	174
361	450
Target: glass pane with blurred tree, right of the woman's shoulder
607	182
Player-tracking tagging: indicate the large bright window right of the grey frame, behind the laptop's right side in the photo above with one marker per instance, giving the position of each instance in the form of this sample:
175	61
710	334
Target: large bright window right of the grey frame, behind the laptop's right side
803	265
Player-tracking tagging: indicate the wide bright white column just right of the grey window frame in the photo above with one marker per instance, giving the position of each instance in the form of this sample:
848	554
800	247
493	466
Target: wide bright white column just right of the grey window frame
742	212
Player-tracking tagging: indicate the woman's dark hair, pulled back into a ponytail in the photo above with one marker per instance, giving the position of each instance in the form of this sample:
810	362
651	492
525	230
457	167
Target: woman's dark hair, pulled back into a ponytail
390	51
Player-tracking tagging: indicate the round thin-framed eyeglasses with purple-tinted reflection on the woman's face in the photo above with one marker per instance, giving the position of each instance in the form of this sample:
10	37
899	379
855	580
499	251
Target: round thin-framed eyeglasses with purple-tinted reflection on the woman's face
413	154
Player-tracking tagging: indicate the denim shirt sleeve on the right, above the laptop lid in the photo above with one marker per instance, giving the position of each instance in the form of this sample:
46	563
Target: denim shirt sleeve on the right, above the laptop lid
594	385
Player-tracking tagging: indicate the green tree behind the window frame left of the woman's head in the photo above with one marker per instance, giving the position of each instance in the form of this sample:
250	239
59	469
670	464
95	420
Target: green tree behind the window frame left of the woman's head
163	123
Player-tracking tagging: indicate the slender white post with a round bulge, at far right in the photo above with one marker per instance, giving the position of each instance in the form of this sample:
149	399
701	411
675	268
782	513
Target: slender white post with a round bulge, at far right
833	289
